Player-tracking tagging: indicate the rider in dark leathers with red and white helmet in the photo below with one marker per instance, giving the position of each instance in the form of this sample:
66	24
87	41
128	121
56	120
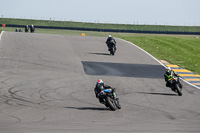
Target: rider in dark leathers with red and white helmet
102	86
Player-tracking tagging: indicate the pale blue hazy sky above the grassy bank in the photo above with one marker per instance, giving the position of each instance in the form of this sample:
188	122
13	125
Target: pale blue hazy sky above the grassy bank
150	12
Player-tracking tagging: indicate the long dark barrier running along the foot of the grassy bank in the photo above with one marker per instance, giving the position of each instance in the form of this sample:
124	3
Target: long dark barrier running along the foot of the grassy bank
110	30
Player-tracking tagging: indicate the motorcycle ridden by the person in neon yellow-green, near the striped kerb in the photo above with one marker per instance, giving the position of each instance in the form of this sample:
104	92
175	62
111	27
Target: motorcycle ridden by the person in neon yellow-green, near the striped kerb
176	86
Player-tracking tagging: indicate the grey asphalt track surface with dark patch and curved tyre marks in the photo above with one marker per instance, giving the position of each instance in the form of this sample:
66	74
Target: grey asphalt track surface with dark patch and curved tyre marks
47	82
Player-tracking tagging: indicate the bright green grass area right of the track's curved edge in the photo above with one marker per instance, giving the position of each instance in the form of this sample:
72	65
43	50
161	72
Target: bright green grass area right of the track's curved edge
180	50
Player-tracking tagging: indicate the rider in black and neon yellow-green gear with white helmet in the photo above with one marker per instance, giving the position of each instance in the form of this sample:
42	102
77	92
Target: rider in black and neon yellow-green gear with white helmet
169	75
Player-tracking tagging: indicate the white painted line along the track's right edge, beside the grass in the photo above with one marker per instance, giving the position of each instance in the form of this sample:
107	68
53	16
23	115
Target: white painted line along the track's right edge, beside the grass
157	61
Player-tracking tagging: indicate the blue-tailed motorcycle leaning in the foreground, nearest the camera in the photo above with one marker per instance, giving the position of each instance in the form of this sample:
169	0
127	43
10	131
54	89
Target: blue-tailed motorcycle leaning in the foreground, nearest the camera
109	100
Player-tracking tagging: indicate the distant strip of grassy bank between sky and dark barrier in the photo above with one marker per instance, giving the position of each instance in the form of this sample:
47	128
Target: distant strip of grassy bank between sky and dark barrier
99	25
